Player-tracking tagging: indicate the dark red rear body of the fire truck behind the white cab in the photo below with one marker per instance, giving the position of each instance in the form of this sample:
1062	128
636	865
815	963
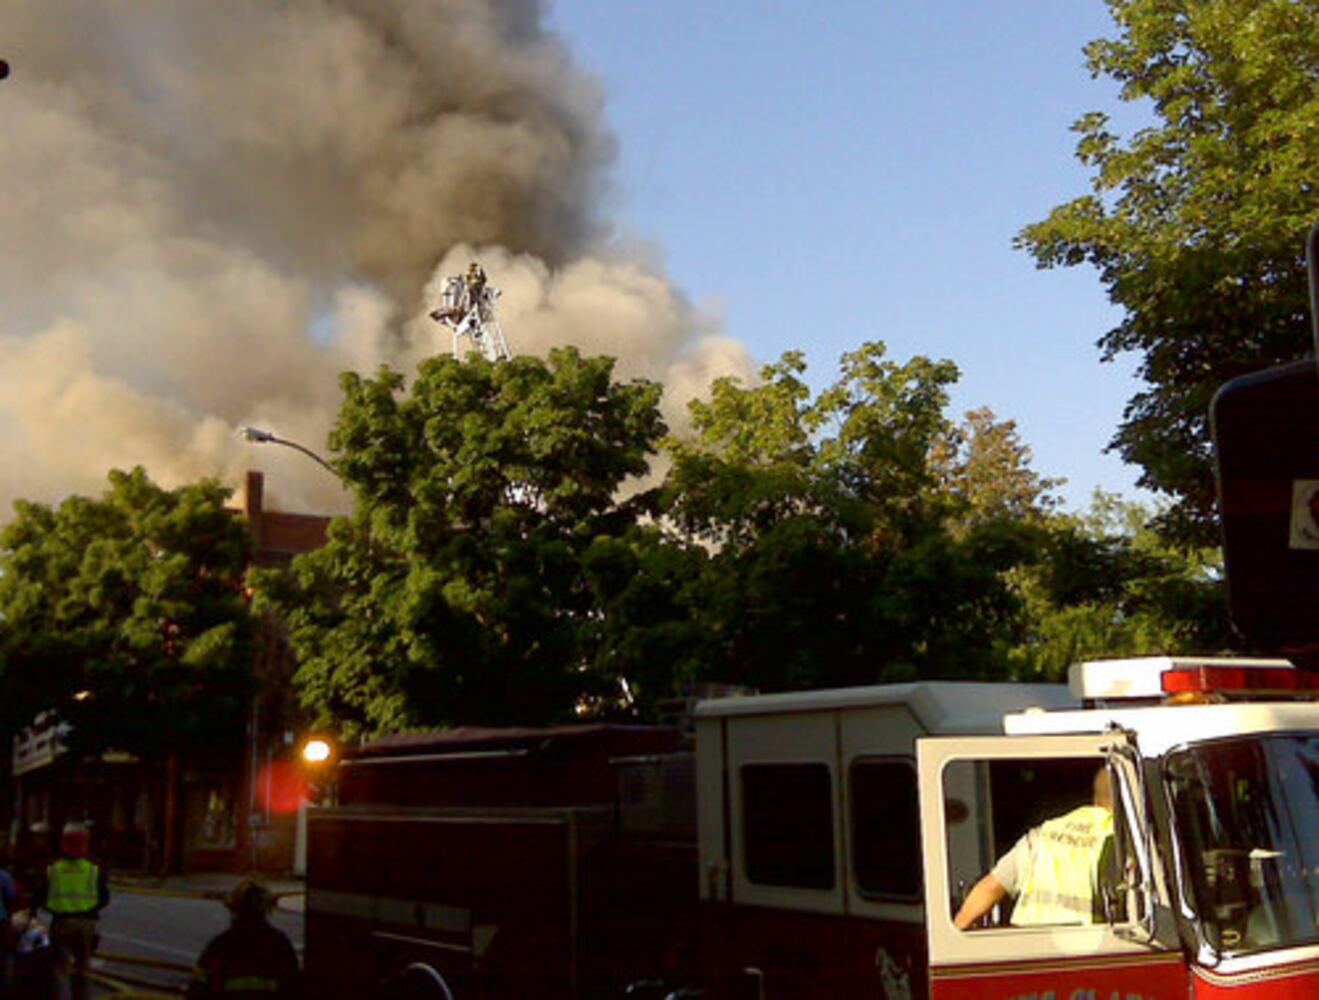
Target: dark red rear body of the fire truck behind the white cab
518	863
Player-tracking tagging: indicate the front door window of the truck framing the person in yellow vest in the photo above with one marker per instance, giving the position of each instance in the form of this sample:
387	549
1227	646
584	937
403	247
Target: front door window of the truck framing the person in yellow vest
1004	816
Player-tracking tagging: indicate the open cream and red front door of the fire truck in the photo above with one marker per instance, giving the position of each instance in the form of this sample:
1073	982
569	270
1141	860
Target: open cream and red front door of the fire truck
978	797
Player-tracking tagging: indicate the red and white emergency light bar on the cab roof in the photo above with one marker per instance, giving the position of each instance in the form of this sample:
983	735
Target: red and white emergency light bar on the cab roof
1156	677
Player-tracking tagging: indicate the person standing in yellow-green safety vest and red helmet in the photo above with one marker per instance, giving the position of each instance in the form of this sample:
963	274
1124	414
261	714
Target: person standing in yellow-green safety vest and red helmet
76	894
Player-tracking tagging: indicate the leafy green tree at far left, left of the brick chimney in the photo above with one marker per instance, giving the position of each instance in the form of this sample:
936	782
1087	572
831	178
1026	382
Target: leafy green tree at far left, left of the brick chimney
125	614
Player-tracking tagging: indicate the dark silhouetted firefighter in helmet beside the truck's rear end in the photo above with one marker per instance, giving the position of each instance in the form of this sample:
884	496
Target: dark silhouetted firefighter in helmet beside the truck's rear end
253	960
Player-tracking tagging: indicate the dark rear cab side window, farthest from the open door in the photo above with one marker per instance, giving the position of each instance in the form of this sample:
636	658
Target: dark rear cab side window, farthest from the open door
788	825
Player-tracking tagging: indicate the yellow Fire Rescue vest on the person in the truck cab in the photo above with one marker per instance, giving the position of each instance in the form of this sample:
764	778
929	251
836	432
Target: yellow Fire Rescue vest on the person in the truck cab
1061	885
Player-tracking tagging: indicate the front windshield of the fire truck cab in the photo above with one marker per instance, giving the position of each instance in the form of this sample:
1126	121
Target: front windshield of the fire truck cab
1248	820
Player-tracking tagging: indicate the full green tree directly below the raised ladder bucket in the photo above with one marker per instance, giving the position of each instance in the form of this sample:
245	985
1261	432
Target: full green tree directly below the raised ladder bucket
473	580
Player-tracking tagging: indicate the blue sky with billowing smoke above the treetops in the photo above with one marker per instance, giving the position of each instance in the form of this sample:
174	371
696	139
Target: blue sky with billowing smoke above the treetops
210	212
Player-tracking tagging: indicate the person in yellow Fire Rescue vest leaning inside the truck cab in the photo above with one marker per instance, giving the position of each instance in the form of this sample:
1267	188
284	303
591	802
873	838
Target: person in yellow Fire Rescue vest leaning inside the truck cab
1053	871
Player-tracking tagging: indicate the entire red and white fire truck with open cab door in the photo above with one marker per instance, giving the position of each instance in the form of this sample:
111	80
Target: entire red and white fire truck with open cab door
817	845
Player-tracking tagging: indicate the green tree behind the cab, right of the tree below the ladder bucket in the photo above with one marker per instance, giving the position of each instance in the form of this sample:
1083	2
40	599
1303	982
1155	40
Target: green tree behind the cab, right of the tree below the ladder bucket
829	526
